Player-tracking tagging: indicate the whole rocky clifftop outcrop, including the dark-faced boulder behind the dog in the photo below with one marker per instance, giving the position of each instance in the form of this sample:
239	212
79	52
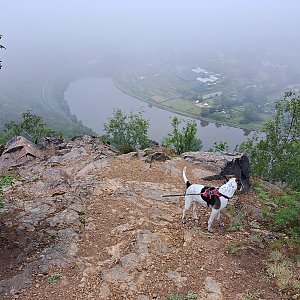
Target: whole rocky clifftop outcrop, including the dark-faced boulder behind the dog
84	208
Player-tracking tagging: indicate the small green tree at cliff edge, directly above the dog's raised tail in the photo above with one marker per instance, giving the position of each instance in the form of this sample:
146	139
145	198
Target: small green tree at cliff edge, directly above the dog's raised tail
183	140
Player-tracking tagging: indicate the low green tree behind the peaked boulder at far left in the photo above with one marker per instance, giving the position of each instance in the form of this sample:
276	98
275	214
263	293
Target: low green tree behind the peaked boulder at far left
32	127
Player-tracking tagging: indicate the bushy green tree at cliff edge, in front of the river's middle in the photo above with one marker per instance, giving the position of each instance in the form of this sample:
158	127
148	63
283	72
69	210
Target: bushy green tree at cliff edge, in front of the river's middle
127	132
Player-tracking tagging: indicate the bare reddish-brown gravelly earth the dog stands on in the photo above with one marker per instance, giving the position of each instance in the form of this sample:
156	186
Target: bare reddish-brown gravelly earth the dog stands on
131	243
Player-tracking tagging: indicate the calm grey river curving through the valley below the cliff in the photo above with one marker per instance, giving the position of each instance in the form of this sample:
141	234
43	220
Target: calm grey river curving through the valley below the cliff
93	100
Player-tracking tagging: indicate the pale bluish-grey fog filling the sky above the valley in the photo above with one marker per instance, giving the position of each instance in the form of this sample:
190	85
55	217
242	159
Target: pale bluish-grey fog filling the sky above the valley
43	38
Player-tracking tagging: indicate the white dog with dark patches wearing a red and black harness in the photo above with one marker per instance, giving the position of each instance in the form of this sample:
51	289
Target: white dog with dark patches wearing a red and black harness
217	198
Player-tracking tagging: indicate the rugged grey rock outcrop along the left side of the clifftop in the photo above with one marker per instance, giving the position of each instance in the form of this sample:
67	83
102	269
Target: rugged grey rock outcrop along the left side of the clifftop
47	206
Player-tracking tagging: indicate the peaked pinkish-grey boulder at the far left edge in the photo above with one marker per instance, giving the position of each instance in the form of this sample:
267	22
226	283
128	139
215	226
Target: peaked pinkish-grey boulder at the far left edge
18	151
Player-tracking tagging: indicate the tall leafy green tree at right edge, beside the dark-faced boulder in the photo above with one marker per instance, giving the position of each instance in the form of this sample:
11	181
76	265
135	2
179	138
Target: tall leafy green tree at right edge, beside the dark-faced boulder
275	153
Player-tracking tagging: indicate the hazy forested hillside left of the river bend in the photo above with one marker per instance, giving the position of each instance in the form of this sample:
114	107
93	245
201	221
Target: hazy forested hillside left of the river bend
43	94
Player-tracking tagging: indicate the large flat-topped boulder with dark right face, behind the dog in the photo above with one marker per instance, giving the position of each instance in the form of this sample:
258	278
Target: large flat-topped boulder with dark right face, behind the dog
220	164
